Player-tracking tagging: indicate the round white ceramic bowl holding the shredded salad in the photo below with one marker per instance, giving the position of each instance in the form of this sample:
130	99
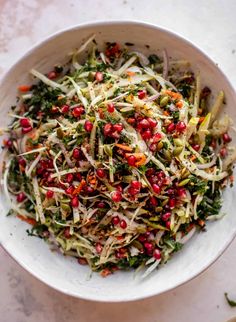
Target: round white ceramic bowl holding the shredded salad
64	274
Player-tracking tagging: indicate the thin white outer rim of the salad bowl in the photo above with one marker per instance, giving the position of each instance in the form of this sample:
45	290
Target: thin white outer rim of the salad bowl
108	23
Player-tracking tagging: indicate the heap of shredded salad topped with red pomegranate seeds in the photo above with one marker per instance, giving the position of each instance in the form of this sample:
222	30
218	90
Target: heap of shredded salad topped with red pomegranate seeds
116	158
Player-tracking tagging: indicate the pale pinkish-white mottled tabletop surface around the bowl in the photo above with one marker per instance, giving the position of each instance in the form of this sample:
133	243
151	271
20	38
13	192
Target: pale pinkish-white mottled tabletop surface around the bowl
212	26
